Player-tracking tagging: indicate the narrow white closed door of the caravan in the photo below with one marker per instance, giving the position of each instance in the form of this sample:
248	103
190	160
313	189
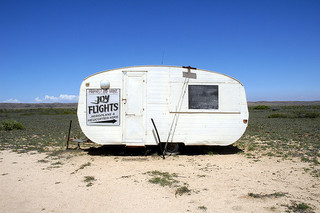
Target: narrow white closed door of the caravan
134	106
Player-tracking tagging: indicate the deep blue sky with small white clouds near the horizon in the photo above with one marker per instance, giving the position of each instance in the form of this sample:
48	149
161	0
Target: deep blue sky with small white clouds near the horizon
47	47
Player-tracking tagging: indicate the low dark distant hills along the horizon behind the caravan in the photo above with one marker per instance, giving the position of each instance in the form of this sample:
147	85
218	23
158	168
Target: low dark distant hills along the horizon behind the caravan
74	105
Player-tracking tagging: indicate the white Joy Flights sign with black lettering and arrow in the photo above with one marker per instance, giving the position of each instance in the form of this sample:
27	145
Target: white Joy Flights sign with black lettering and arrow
103	107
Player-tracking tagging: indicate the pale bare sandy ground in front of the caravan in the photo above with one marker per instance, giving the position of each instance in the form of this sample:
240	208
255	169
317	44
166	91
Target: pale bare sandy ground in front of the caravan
219	183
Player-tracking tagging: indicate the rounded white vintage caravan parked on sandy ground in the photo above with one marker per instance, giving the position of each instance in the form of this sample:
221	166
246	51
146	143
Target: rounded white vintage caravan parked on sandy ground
188	105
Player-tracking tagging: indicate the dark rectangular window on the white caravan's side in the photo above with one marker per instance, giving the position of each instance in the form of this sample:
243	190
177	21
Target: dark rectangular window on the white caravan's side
203	96
